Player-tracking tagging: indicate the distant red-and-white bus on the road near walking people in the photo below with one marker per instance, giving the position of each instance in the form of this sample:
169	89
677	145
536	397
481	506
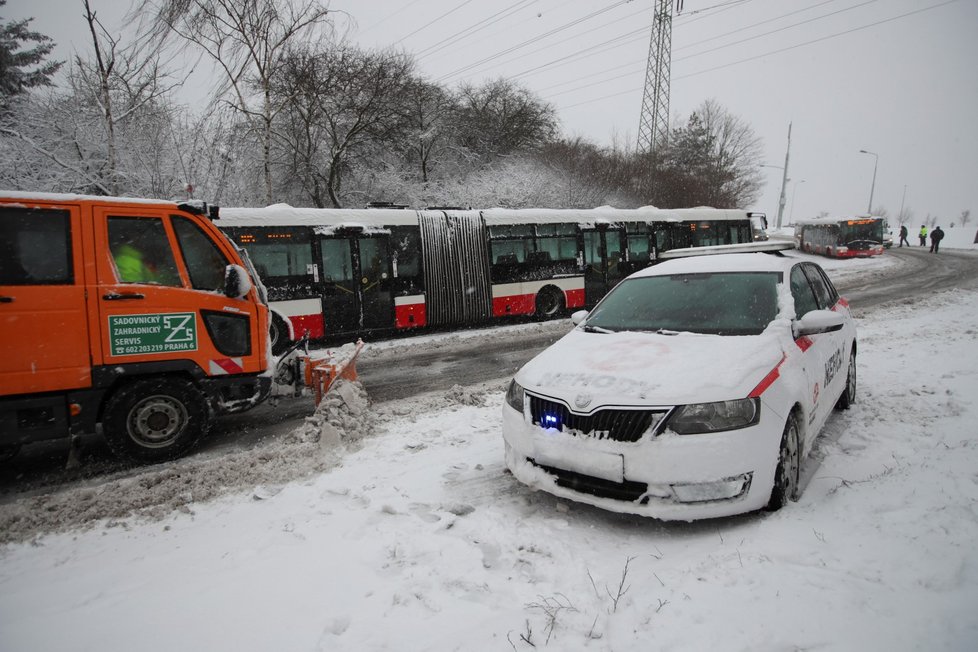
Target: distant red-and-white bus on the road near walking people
841	238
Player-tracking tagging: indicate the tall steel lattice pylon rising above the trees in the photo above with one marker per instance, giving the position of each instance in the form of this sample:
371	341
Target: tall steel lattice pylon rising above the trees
653	128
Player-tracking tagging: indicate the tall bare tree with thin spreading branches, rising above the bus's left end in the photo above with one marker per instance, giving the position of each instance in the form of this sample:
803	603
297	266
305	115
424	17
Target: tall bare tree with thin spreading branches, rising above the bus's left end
248	40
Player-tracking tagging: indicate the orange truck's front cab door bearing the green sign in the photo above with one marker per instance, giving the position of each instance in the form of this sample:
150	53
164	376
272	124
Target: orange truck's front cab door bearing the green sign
160	295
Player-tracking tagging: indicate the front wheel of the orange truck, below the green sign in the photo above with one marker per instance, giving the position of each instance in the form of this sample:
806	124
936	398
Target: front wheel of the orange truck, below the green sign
154	420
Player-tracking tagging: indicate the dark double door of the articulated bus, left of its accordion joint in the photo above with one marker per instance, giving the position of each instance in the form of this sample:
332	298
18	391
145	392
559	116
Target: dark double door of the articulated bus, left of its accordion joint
356	283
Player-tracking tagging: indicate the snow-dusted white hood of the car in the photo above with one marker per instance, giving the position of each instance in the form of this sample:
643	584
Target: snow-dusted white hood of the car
632	368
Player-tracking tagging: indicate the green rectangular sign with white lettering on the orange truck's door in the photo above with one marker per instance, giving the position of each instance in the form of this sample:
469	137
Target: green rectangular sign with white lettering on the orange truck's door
162	333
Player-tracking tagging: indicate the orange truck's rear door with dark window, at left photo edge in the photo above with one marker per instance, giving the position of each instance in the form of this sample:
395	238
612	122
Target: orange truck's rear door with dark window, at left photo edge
43	320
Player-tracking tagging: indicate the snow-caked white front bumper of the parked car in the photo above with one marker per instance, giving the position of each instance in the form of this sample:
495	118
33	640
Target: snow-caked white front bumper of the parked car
669	476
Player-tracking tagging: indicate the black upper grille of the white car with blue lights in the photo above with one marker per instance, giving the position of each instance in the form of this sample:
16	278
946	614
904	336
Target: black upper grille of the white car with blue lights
611	423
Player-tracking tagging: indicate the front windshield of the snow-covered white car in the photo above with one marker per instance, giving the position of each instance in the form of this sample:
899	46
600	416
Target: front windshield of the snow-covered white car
728	303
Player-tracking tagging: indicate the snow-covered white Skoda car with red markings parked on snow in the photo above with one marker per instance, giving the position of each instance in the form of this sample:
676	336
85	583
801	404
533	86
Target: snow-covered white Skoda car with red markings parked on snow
694	389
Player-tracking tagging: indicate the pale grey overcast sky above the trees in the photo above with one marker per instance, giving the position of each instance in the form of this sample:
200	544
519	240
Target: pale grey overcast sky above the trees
895	77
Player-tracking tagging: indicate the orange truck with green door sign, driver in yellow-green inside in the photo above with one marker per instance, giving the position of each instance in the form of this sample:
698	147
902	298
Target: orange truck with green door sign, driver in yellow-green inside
135	316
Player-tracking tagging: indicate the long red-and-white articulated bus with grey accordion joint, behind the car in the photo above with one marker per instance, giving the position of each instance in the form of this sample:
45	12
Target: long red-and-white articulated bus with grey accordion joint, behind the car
344	272
